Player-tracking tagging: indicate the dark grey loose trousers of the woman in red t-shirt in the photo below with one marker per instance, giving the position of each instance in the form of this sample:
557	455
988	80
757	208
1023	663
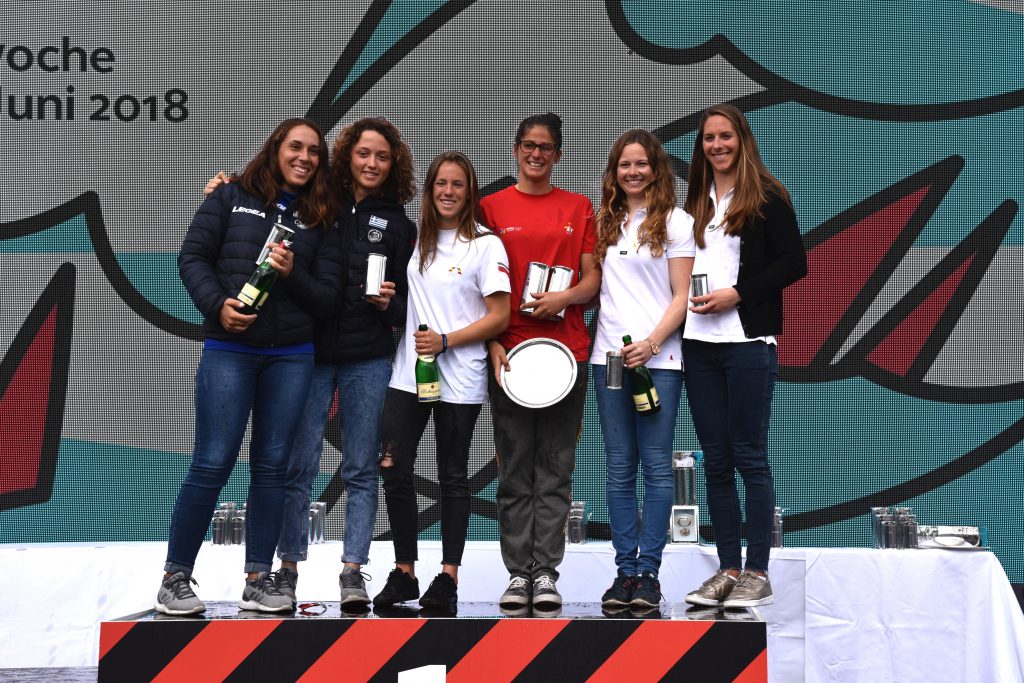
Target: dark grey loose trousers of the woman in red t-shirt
536	450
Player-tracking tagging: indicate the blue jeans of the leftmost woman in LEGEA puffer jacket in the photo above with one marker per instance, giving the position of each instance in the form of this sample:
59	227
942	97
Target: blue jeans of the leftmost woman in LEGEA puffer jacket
229	388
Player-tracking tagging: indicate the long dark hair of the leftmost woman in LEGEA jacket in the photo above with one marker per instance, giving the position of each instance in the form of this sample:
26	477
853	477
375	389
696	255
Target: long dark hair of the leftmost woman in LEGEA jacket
316	203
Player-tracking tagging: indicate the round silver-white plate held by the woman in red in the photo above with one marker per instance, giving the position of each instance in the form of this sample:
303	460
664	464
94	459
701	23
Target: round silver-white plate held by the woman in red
543	373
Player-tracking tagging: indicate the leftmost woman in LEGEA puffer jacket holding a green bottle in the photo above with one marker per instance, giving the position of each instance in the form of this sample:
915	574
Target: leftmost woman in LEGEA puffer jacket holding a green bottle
259	364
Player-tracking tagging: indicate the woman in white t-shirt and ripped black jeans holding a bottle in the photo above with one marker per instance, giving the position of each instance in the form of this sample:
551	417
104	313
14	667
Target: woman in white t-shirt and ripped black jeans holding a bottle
459	288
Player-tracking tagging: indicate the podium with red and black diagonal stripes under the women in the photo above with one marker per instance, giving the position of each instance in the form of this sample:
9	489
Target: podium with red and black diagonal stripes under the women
480	643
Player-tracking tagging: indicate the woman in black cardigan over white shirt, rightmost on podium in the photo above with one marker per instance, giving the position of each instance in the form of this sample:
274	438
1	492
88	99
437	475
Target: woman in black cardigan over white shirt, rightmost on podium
750	249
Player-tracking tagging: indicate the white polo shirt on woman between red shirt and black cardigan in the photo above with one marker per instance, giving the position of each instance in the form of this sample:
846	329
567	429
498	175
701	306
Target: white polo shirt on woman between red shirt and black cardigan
636	289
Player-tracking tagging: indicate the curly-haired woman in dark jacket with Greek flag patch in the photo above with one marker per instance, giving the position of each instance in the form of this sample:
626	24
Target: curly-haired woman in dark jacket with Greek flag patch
374	167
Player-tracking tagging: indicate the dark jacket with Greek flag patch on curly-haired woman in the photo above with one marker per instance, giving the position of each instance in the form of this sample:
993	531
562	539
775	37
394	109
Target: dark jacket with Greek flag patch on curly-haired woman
359	331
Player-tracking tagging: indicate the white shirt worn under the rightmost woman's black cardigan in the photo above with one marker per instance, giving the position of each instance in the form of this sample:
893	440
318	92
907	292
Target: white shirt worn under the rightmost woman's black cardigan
720	262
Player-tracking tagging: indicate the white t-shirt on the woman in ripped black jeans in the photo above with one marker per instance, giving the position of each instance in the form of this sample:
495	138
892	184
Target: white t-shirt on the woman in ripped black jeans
449	296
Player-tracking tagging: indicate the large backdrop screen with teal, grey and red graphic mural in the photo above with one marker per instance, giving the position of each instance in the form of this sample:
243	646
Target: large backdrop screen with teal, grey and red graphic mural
897	126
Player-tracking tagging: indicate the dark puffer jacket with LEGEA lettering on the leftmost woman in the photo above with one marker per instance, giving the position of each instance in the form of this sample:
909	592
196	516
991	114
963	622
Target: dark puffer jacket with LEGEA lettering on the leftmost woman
220	254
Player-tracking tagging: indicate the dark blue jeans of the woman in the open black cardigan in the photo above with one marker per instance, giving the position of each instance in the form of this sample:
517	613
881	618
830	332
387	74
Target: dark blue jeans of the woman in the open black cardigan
730	389
